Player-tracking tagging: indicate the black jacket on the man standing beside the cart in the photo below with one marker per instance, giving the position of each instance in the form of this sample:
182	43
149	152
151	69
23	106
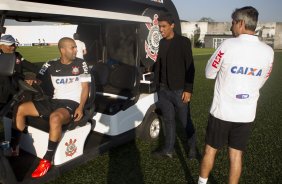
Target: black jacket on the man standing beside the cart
180	64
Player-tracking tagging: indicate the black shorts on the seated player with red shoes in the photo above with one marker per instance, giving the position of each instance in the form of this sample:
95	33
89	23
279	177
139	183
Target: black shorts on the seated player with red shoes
46	107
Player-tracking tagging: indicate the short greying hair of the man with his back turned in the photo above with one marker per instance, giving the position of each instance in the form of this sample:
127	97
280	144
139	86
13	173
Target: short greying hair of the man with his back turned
249	14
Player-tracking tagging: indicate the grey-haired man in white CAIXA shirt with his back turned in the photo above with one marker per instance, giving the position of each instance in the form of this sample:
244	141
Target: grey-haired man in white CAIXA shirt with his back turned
241	66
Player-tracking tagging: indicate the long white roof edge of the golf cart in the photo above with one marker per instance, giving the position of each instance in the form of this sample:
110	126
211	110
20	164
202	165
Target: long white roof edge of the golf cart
29	11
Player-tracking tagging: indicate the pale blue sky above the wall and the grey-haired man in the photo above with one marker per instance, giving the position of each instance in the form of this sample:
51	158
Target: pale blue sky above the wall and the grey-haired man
221	10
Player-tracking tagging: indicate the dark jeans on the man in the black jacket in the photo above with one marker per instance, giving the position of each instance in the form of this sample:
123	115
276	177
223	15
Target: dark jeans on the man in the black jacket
170	103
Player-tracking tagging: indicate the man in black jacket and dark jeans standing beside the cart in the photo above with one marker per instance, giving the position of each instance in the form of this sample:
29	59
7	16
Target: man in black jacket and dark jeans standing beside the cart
174	75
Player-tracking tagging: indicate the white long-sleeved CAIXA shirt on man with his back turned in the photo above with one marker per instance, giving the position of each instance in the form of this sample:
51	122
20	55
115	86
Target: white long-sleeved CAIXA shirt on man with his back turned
241	66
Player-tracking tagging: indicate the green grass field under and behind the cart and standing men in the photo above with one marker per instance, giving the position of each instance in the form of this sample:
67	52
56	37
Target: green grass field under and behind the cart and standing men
132	163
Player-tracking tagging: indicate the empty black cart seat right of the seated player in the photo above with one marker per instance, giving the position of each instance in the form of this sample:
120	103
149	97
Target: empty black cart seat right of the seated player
116	87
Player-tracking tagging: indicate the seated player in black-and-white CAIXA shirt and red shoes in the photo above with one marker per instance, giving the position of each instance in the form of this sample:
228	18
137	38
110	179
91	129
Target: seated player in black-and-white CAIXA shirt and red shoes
70	78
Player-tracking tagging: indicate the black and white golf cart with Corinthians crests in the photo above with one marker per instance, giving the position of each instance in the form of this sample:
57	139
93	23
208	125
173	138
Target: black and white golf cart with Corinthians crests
122	40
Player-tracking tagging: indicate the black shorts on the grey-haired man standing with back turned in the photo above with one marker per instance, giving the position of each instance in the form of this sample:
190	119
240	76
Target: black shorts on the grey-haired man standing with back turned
219	133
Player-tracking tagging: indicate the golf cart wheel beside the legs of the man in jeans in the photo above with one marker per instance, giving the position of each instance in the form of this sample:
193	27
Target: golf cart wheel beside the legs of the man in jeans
151	128
